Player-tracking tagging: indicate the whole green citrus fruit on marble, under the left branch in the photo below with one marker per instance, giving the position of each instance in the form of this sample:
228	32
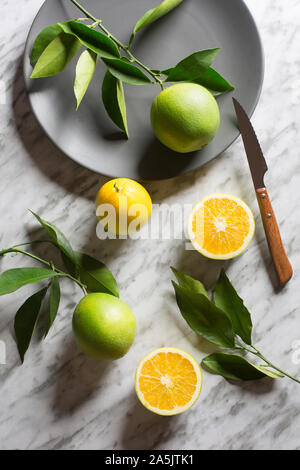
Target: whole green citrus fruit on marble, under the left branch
104	326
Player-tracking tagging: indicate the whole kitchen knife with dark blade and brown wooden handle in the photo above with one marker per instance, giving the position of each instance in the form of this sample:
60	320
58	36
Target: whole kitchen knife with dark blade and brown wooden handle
258	168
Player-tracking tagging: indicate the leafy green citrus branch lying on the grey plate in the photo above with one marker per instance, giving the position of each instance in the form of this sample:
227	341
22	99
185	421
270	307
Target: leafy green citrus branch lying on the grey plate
57	44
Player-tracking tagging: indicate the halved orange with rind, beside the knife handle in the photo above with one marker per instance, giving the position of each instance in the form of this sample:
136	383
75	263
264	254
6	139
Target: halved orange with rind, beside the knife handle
221	226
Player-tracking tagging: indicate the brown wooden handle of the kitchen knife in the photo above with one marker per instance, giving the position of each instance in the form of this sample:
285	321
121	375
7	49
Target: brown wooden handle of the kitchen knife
282	265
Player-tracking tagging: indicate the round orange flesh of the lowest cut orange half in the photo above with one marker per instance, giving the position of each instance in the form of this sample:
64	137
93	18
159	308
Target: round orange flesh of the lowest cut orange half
167	380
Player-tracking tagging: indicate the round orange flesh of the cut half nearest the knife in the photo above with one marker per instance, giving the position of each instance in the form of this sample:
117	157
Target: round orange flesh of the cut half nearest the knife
220	226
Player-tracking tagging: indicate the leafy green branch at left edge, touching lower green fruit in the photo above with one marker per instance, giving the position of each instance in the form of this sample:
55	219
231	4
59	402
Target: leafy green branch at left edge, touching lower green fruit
88	273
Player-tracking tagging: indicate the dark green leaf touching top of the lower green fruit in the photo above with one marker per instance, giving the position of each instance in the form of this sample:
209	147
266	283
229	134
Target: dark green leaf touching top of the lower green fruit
94	274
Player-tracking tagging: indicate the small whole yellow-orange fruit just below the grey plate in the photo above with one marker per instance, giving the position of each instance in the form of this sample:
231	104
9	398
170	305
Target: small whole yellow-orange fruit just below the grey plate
131	202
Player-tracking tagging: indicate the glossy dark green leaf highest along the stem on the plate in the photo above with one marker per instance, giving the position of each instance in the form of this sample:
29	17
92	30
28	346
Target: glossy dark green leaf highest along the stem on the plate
93	40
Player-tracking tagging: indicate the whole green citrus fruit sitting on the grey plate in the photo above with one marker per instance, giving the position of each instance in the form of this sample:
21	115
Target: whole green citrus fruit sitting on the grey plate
185	117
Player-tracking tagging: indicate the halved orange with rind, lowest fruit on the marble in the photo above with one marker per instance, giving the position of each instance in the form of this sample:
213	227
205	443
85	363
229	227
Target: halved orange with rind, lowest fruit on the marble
168	381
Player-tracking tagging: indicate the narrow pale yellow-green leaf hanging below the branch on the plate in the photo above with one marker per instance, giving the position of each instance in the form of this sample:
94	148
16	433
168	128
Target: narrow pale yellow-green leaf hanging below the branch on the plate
85	70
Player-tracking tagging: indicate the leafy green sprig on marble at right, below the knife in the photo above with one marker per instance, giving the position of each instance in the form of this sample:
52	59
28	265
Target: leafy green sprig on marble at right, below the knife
226	322
